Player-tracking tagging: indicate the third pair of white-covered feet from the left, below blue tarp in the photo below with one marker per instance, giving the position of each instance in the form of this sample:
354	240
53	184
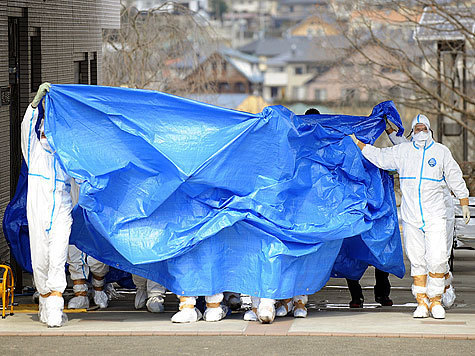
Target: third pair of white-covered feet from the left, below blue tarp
149	293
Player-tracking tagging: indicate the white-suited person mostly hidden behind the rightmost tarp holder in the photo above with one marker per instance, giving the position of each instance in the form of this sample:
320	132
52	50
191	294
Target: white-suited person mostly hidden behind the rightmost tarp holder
448	298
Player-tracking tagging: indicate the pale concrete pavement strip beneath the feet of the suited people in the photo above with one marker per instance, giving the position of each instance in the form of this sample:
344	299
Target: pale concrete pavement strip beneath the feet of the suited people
319	323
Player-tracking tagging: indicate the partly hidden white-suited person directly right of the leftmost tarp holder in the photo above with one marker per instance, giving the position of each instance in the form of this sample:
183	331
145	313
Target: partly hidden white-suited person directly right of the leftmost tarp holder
80	265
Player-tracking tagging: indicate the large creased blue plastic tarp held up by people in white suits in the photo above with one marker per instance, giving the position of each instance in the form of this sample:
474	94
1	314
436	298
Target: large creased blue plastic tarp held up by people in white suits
203	199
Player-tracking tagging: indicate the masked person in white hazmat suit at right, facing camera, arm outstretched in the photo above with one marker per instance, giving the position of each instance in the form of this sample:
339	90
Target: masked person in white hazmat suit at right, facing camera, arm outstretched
422	165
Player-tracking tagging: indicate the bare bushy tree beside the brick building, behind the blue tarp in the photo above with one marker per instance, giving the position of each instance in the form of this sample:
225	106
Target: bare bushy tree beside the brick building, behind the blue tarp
157	49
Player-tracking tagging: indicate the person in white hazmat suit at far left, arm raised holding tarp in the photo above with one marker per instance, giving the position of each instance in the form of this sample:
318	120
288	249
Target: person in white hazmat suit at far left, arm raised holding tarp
48	211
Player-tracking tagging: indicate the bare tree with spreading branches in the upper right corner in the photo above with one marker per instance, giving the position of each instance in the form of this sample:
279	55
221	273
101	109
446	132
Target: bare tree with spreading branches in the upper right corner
425	49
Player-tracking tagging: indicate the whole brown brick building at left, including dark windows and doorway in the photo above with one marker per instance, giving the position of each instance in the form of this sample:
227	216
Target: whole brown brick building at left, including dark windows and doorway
43	40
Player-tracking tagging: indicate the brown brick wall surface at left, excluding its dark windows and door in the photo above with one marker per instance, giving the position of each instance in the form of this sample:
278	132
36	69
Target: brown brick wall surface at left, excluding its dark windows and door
70	31
